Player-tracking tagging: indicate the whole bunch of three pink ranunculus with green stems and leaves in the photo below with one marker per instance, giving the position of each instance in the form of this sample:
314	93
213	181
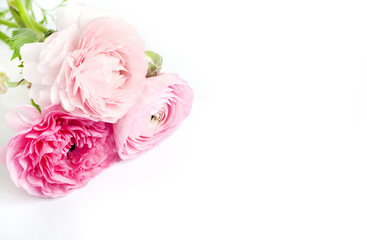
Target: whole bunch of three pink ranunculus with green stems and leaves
96	96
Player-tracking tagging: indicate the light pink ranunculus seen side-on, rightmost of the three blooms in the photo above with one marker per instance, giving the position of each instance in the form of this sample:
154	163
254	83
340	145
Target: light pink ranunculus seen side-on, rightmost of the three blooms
165	102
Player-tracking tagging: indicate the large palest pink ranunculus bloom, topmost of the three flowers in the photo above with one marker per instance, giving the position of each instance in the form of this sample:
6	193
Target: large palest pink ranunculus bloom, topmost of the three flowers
94	65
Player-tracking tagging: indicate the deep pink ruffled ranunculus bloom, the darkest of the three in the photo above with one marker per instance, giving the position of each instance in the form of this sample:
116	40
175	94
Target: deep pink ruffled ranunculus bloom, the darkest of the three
55	153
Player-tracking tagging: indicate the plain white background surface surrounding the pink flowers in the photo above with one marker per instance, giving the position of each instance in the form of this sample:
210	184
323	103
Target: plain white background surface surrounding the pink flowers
275	146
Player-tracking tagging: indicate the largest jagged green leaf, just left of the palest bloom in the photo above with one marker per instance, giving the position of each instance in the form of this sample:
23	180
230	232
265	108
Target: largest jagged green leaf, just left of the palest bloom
21	37
